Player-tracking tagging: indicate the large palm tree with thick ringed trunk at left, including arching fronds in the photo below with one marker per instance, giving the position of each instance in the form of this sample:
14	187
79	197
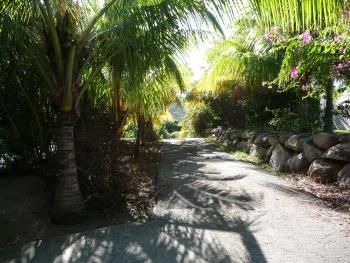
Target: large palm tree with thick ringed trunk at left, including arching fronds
68	43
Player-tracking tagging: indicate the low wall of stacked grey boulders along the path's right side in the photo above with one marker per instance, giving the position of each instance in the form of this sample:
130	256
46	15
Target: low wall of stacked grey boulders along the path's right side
325	157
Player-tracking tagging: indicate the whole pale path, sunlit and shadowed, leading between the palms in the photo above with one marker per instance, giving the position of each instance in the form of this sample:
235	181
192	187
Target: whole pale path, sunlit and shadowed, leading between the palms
211	208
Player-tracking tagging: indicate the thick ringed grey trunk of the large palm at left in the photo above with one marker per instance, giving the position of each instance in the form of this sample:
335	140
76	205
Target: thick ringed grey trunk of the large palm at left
68	205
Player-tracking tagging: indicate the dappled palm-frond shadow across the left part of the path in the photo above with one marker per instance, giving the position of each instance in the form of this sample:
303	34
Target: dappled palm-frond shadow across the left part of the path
194	205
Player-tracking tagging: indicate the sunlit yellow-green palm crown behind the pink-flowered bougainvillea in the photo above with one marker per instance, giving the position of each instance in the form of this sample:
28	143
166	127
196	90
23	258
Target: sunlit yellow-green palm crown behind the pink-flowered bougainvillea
242	63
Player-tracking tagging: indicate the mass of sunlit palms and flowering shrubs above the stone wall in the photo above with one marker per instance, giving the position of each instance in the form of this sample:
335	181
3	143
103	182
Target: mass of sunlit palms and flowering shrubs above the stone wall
277	74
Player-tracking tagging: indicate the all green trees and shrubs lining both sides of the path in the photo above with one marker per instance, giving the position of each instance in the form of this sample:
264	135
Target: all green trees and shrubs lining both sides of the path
75	75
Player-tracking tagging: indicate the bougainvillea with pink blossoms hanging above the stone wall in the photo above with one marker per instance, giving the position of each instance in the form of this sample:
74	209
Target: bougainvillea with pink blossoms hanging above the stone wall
312	57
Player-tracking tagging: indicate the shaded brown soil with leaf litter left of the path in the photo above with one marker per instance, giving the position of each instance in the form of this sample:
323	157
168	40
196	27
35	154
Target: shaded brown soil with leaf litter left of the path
25	205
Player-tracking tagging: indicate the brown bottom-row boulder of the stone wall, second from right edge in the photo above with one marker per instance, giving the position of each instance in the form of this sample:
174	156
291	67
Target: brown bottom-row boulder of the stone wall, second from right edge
324	171
